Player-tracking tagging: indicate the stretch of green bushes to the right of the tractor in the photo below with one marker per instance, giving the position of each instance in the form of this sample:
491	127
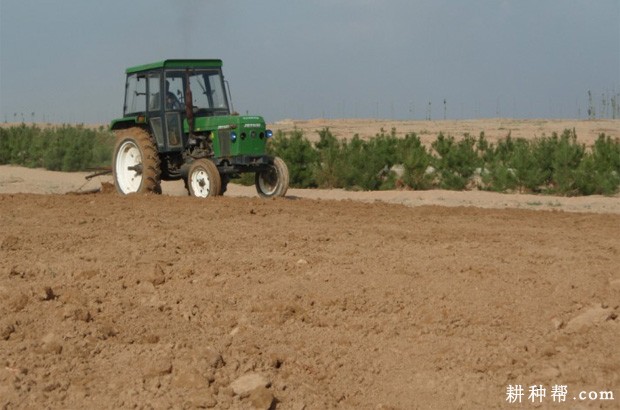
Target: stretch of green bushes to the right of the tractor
556	165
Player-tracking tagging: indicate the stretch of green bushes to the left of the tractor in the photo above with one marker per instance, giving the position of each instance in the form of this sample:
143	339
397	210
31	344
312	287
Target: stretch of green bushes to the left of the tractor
65	148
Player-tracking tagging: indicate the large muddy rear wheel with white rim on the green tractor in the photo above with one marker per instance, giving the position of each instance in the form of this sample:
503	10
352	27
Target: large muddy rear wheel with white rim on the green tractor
136	163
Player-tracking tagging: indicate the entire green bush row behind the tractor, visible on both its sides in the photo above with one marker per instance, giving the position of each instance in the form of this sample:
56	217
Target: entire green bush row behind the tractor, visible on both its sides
557	164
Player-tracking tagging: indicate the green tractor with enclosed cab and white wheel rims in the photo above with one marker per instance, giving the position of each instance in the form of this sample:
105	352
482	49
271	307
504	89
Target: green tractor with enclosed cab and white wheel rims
178	124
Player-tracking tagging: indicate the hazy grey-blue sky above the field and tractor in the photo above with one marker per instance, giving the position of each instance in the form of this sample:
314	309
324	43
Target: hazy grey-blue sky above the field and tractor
65	59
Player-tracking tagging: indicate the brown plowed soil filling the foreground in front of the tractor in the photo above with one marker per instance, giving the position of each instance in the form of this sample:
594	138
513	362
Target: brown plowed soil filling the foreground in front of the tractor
237	302
